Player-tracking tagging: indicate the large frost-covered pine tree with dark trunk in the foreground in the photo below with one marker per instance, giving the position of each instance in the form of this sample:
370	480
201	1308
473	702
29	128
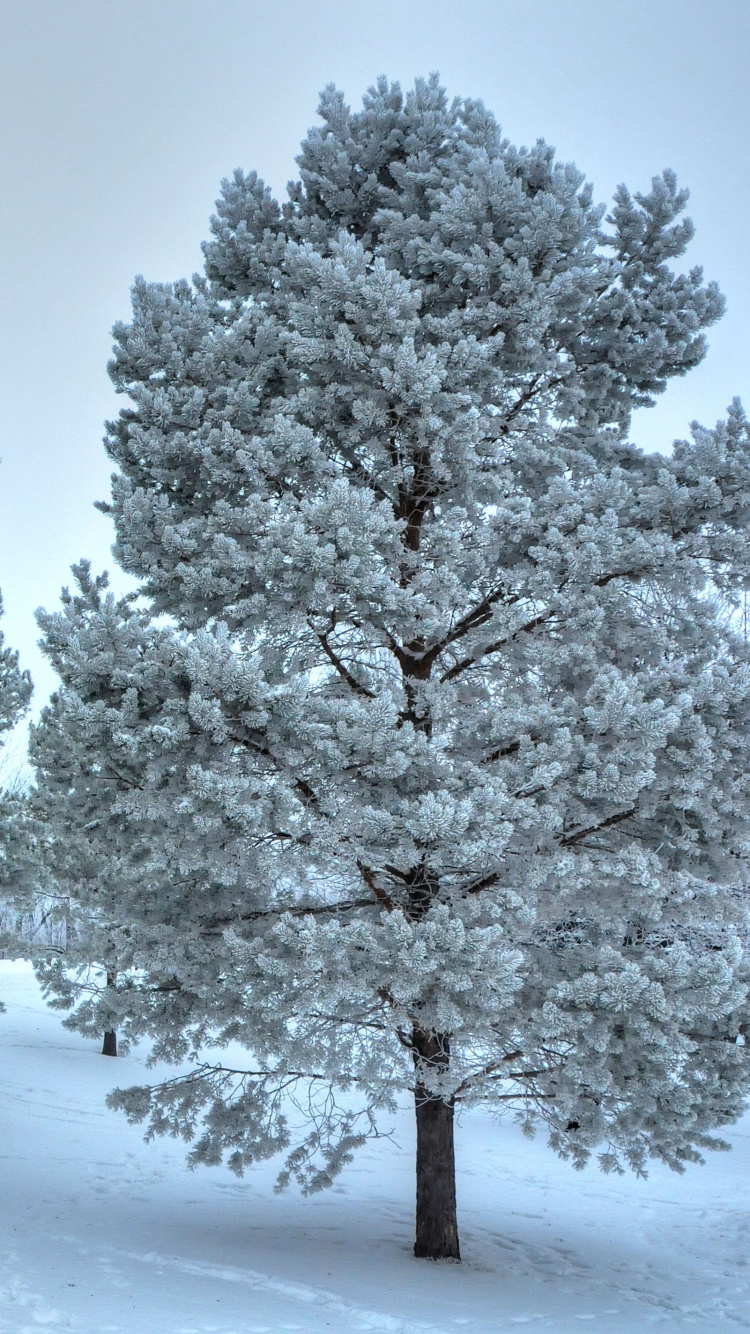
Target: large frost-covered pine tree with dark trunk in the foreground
425	768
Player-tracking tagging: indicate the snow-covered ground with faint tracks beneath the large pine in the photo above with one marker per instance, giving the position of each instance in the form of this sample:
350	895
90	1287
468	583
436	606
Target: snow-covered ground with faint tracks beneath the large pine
103	1235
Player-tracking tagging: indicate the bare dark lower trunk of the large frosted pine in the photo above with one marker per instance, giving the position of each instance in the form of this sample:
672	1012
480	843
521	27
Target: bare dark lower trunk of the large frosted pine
437	1223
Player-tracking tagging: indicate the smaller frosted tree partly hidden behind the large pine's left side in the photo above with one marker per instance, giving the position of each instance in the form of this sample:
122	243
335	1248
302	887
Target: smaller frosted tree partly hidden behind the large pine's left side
83	857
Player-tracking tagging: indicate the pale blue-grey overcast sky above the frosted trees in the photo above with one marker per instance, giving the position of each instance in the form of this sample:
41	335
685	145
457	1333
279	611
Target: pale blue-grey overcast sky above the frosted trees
119	118
